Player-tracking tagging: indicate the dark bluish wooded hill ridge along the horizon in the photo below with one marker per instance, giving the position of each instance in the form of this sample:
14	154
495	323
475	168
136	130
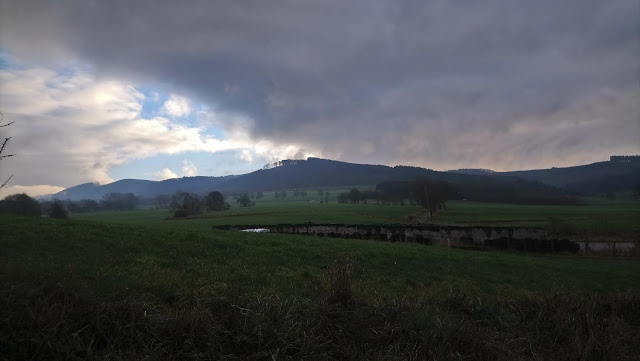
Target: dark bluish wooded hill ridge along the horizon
593	178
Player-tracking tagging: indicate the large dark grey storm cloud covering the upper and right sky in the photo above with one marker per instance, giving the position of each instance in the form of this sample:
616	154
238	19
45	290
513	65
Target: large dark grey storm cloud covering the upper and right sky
440	84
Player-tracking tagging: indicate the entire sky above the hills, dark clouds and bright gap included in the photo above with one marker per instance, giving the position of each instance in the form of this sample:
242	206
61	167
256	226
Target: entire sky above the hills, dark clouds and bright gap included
106	90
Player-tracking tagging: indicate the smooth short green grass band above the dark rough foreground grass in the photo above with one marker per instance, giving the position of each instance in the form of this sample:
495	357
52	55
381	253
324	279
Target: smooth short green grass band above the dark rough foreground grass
192	260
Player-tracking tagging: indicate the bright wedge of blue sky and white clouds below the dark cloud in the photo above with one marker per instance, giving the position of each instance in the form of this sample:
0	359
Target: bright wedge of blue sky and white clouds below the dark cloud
72	126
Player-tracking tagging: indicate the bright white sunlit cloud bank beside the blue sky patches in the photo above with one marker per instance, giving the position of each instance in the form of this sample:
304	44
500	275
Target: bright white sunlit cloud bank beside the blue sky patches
75	128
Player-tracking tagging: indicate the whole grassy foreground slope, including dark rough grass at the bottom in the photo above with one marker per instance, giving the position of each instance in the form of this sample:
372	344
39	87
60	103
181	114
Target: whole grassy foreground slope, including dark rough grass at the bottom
80	289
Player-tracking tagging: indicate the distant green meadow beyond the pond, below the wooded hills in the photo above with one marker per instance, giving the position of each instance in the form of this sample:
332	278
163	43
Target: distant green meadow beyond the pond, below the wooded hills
597	218
